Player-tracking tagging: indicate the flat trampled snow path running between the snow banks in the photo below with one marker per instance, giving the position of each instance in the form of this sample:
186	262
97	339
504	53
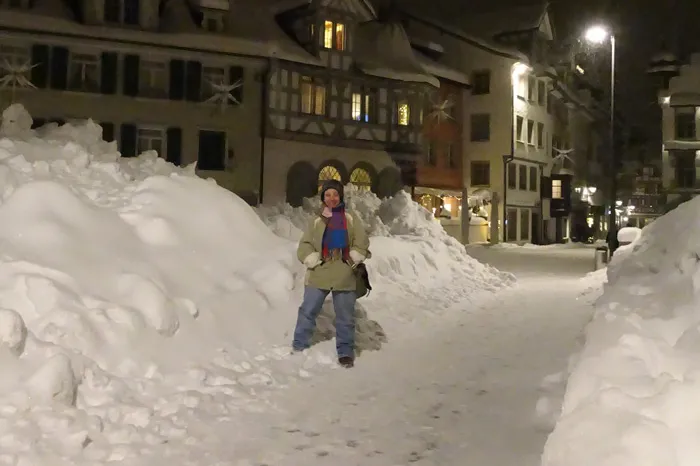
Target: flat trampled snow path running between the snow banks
464	394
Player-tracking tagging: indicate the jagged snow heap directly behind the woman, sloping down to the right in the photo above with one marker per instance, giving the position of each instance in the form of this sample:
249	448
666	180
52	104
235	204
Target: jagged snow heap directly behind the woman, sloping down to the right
412	255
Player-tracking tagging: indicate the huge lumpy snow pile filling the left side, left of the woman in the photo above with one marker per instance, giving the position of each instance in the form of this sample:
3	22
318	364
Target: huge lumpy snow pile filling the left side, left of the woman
139	304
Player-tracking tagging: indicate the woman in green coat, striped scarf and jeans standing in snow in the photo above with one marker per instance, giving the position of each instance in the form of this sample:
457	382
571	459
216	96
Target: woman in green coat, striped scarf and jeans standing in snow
332	245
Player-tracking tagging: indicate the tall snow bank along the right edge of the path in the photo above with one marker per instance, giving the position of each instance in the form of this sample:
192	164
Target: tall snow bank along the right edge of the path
634	389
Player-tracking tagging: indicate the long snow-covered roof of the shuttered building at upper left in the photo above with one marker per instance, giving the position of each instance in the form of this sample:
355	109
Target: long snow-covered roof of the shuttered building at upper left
262	45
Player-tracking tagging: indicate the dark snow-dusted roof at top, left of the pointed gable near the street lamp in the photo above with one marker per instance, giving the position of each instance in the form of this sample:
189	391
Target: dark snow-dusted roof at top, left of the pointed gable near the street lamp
492	23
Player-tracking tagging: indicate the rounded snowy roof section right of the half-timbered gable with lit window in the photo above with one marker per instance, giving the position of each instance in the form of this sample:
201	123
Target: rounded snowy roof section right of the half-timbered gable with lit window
383	49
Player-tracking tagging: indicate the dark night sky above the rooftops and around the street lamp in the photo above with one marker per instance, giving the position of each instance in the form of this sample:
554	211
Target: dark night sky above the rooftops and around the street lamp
643	28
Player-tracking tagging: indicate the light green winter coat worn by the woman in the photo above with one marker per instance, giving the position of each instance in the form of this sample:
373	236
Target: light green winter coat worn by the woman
333	275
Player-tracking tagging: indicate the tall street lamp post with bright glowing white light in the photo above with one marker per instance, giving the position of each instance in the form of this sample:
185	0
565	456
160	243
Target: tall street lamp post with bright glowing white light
599	35
